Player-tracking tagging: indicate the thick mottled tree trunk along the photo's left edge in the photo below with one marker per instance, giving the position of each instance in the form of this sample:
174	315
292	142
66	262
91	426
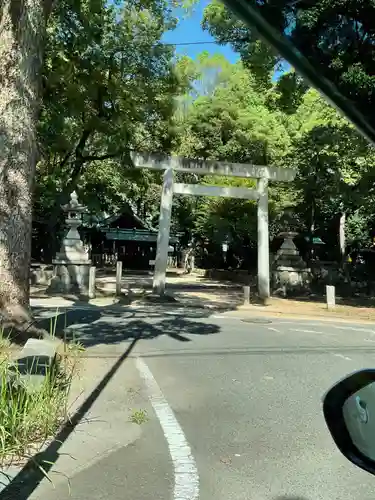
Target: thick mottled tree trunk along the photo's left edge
22	31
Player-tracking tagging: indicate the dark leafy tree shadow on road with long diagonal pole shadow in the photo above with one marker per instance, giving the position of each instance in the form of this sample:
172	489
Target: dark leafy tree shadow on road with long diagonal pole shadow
91	327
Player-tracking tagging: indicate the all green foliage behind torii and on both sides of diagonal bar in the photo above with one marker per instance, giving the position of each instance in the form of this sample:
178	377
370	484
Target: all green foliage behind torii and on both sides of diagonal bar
110	85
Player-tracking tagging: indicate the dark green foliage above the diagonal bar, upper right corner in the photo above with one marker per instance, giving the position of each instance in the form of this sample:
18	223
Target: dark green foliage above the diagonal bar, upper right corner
338	38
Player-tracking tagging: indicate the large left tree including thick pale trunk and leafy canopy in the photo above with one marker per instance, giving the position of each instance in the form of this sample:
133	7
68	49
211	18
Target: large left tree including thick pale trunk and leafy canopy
106	84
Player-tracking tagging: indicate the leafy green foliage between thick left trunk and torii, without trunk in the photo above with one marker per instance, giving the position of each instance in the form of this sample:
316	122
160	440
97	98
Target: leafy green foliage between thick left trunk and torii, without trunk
109	86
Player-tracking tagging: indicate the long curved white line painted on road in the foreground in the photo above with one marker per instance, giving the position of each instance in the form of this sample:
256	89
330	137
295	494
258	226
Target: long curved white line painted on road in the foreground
186	479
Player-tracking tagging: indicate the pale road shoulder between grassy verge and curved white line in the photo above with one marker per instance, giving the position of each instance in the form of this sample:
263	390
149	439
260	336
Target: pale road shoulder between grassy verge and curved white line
106	425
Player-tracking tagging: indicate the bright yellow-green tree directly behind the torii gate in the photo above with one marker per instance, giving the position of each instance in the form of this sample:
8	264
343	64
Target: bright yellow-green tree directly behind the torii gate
231	122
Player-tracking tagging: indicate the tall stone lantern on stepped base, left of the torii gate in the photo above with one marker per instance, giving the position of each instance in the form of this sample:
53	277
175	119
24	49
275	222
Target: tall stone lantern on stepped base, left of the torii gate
72	265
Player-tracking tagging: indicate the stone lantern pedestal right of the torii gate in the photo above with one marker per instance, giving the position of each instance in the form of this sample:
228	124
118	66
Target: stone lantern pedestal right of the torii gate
289	271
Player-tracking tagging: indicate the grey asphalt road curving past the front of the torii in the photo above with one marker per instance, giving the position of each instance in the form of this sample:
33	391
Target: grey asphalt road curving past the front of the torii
247	399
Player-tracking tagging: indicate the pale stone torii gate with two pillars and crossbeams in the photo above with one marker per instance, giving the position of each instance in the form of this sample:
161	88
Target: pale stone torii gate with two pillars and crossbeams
170	164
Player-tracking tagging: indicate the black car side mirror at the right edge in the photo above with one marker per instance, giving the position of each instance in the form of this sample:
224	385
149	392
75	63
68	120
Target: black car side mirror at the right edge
349	412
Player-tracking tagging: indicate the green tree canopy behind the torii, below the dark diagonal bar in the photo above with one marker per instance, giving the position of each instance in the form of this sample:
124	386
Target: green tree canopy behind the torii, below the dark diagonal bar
206	108
